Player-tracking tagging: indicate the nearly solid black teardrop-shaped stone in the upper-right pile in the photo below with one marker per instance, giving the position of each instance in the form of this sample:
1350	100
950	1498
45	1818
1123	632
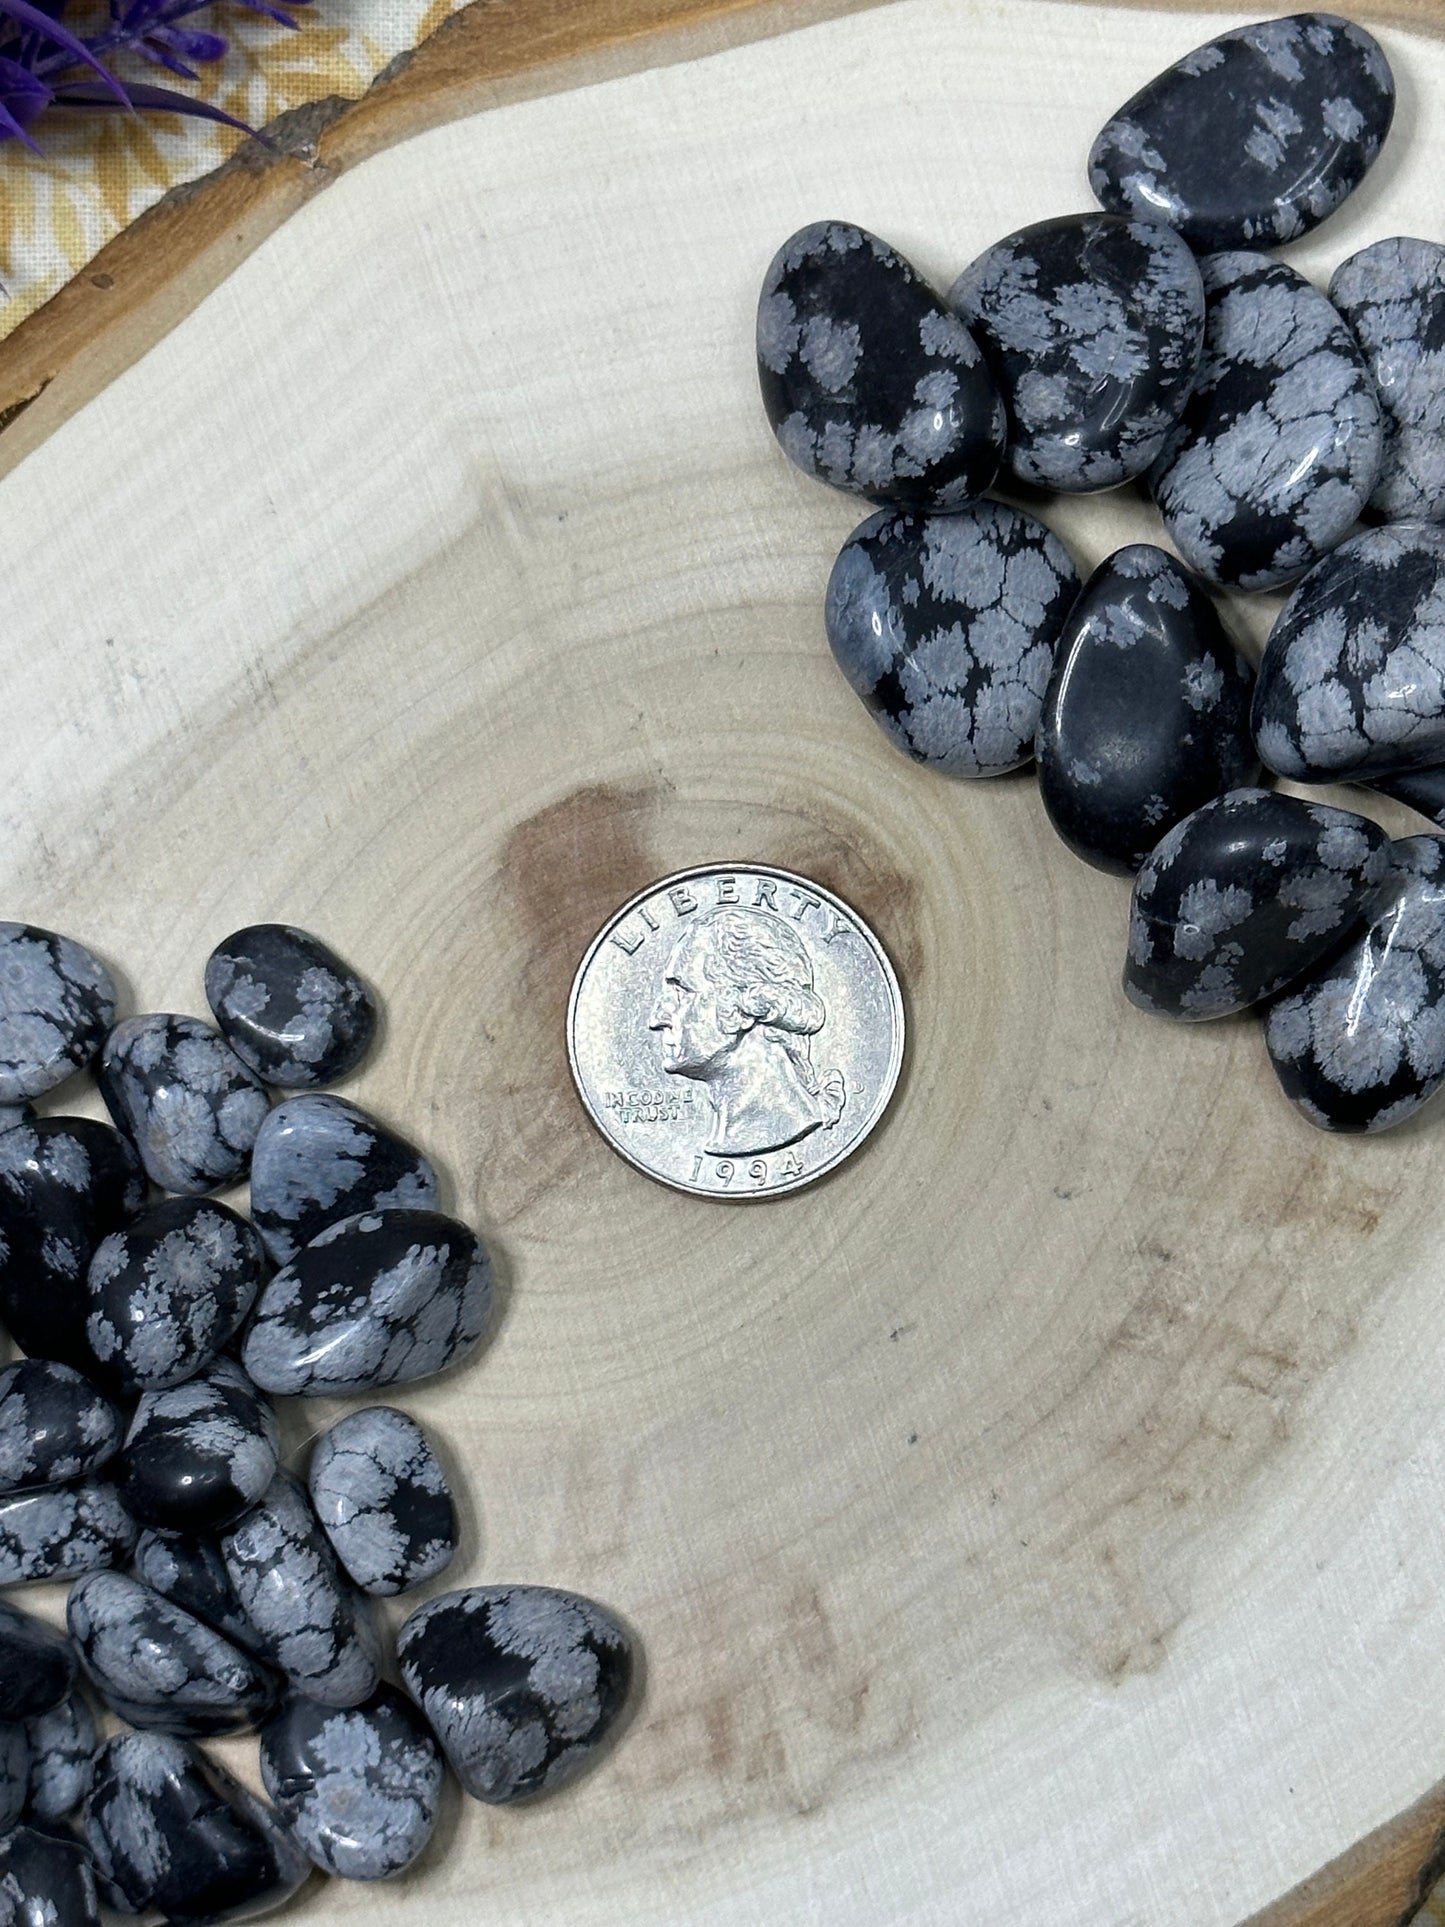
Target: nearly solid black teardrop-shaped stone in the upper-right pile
1147	710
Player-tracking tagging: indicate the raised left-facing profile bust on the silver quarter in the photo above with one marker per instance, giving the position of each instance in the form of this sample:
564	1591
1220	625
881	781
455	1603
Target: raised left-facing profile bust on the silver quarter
737	1013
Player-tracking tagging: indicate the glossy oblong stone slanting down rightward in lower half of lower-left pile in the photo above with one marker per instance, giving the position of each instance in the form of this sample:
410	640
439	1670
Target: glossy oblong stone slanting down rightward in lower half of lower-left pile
161	1668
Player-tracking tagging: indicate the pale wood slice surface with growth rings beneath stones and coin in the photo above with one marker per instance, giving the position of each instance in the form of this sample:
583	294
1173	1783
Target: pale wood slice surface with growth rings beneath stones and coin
1039	1519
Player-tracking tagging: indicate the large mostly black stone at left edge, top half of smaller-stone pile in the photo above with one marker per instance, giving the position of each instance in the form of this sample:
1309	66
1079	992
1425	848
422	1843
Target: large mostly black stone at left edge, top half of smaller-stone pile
65	1184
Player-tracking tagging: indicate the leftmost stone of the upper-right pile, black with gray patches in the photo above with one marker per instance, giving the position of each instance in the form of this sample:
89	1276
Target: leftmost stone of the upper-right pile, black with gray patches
868	379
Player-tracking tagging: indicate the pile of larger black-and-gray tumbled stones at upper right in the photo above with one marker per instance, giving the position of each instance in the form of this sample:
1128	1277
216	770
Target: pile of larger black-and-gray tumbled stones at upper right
1157	346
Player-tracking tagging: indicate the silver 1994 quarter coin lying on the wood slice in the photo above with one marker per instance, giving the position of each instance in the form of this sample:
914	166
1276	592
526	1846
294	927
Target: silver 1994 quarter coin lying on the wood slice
735	1032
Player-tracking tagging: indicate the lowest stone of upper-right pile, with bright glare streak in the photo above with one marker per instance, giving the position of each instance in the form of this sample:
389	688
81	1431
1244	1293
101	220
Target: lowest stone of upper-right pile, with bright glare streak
1361	1043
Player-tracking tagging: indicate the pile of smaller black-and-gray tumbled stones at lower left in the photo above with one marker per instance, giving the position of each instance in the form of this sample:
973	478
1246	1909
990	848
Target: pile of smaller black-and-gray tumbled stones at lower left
140	1431
